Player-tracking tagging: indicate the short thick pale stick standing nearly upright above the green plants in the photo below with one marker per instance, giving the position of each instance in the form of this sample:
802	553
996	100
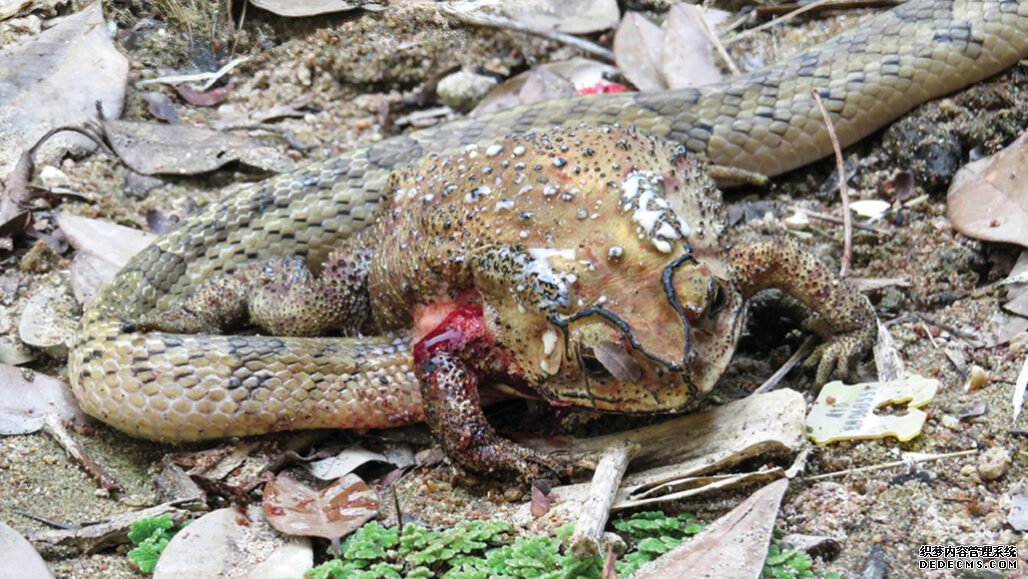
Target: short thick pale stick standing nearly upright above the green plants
597	510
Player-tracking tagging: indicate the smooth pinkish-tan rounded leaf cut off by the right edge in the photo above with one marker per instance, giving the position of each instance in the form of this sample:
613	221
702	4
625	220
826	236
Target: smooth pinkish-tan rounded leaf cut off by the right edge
989	198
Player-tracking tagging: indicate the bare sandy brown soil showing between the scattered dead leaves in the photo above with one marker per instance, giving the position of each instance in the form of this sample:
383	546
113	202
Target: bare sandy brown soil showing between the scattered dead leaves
353	77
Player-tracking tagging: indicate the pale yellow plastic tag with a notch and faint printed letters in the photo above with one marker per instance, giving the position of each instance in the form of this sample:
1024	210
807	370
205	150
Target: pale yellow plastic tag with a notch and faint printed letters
848	413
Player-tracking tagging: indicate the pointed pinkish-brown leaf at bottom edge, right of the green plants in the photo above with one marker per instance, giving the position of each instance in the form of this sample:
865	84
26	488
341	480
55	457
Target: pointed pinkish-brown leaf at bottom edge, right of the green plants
736	546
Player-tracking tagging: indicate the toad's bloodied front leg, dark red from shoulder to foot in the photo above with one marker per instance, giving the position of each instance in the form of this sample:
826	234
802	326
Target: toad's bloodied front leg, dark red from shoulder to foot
450	364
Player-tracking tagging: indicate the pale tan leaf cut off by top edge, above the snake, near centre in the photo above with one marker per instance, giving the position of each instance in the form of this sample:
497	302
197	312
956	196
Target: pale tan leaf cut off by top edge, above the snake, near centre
572	17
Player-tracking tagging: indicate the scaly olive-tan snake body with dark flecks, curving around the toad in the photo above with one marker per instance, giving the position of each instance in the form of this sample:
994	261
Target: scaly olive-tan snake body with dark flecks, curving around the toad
191	387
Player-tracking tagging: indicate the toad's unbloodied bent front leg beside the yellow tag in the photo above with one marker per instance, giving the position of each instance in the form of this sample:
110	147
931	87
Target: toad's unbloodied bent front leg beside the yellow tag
846	318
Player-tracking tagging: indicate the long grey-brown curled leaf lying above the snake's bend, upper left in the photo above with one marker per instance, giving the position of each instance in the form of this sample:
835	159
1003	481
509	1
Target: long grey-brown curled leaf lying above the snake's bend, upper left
174	150
